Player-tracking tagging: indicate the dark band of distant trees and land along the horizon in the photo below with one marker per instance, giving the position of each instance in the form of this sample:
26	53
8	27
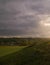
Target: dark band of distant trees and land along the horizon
21	41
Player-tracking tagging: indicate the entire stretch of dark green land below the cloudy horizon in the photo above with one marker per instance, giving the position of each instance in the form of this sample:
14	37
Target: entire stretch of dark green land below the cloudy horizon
25	51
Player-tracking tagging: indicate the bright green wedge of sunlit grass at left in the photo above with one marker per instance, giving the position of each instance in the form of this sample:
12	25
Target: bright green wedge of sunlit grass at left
5	50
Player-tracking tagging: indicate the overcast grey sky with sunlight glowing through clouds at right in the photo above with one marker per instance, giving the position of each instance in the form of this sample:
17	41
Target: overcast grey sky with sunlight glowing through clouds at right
25	18
